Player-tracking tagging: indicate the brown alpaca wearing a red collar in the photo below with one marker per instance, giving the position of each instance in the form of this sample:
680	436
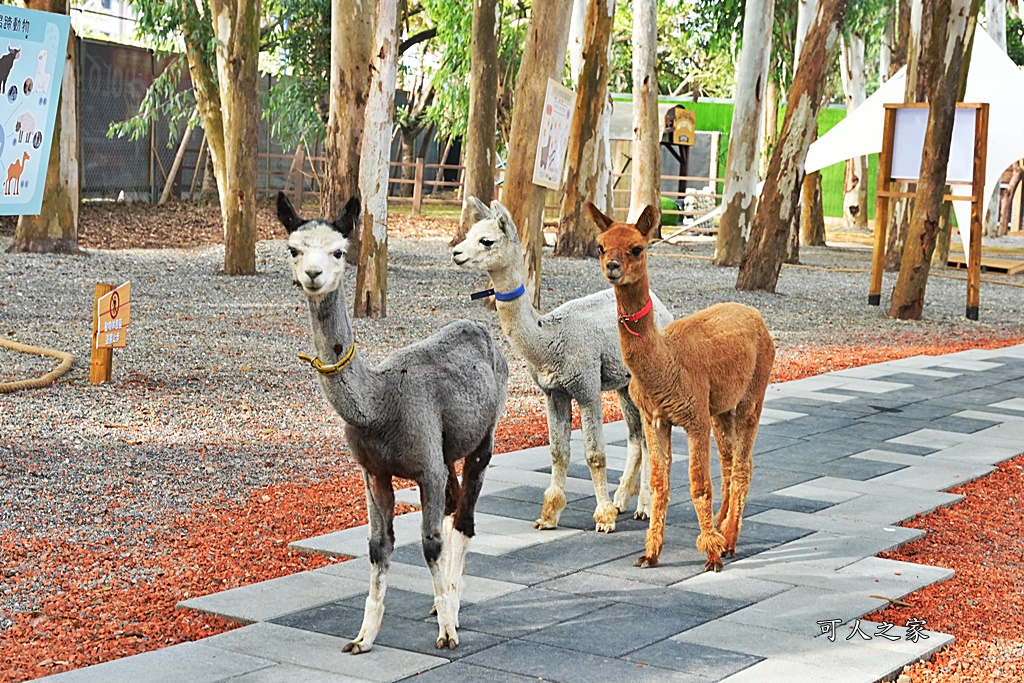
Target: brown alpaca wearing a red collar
706	372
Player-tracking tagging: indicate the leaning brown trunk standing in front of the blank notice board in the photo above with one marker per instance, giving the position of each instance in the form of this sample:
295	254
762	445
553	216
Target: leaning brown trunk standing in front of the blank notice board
944	63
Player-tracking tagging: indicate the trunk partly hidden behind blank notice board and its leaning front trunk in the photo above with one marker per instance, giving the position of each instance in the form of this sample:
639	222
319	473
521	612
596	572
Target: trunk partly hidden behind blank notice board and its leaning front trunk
916	91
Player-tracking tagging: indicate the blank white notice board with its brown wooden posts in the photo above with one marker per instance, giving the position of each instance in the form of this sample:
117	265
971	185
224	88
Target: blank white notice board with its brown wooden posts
903	141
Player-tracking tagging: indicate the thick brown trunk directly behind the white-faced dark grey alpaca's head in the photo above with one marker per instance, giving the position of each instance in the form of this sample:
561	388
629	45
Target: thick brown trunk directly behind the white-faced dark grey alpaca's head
352	47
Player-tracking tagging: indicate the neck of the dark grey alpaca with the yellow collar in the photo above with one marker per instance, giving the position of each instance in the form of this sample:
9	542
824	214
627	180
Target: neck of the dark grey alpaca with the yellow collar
355	393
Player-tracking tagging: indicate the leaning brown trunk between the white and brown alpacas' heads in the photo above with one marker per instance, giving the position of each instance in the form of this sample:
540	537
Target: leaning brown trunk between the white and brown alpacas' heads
577	236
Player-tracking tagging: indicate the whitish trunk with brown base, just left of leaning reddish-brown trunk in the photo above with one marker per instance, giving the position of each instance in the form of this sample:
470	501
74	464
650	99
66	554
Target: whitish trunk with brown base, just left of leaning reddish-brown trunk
740	196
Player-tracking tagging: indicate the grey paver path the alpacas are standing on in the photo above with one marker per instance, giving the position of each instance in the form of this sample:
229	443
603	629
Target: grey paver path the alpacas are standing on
840	461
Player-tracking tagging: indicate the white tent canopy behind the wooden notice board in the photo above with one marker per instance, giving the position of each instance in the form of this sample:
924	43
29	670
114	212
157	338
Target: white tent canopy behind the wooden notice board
994	78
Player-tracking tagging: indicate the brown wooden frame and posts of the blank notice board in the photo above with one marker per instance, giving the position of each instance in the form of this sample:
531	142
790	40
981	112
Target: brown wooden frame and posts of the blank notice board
885	194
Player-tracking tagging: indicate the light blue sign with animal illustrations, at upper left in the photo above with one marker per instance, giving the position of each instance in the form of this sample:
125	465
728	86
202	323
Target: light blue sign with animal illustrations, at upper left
33	46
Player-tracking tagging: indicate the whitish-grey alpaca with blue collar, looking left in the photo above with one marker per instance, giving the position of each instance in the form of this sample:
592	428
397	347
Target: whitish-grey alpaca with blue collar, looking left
573	354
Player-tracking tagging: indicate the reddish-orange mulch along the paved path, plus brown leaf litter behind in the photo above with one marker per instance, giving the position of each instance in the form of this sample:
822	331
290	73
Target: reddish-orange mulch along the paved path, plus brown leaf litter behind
91	618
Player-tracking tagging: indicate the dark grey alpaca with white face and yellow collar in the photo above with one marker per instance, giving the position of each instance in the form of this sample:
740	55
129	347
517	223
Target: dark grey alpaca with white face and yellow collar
413	416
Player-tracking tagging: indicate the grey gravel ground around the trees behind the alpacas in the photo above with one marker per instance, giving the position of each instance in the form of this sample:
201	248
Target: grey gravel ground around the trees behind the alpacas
209	404
